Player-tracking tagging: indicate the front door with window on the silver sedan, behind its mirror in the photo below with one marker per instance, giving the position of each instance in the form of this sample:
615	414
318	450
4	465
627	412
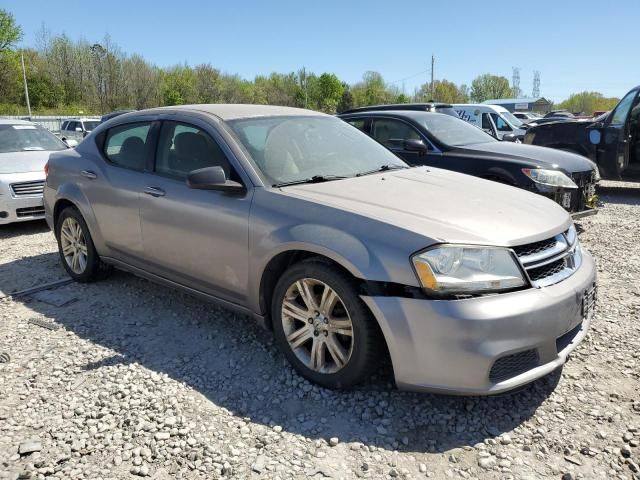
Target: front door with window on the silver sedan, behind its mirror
198	238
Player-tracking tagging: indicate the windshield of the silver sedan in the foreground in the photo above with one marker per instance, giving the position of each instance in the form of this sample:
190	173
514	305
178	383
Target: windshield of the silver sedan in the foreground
290	149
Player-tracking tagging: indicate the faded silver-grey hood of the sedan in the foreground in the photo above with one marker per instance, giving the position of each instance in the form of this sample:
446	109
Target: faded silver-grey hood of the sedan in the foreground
444	206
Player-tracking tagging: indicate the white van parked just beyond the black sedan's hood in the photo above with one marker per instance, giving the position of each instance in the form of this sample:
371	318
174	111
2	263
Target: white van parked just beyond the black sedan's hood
493	119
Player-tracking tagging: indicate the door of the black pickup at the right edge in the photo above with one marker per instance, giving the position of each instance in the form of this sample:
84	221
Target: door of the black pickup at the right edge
612	152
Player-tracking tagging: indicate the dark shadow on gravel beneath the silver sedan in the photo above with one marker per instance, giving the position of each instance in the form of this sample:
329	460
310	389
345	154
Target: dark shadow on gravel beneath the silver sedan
235	364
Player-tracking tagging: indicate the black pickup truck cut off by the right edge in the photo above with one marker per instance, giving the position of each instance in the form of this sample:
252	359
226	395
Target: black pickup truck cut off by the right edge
612	140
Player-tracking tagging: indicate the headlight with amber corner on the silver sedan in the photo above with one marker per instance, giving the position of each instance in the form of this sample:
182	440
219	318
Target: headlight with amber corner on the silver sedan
450	269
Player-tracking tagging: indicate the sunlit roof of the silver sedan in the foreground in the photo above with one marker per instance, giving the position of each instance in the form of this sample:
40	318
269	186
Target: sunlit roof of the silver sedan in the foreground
236	111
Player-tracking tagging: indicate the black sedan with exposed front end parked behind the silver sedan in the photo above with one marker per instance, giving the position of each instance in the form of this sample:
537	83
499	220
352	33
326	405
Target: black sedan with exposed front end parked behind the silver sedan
436	140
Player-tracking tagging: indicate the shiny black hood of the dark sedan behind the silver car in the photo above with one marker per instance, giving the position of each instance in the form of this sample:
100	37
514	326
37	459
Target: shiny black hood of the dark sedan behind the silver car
530	154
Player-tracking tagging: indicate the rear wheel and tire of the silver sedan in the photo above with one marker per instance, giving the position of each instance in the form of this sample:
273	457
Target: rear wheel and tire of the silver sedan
75	246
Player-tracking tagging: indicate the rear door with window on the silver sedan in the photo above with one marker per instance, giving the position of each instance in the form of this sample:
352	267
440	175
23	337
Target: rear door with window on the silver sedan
113	186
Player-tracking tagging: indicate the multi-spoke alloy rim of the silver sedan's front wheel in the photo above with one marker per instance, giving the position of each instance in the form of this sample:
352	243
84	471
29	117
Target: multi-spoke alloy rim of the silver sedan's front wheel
317	325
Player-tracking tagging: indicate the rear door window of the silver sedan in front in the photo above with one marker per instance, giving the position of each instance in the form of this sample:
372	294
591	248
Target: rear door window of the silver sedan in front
126	145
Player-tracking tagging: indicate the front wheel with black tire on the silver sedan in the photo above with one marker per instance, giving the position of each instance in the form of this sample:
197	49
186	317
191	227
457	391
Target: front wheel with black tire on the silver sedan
323	327
